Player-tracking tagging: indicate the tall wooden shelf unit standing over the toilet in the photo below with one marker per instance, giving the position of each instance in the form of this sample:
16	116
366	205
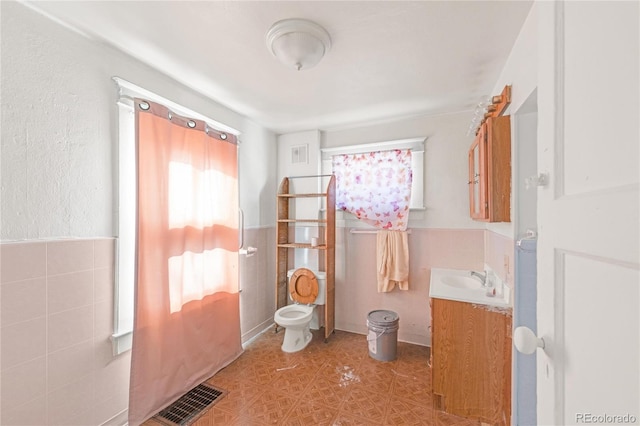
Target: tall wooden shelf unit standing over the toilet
285	223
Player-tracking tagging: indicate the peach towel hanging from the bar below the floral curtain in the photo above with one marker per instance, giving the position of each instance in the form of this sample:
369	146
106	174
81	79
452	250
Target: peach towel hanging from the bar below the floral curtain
392	260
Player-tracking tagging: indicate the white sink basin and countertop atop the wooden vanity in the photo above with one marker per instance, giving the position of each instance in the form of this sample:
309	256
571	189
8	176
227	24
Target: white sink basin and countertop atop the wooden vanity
459	285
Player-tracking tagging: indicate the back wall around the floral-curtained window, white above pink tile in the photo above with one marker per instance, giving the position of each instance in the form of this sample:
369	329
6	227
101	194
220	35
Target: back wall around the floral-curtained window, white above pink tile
459	245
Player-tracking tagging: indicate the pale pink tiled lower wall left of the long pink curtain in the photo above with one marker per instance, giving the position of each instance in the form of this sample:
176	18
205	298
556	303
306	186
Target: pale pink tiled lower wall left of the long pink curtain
56	366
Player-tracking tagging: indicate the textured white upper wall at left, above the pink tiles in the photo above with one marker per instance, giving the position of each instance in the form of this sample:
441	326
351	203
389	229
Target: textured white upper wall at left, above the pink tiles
56	132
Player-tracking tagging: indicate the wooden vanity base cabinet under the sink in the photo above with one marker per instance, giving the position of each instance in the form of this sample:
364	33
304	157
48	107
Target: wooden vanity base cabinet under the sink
471	360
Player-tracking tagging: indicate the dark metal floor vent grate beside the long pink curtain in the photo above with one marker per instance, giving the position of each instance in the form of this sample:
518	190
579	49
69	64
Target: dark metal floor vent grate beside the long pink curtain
190	406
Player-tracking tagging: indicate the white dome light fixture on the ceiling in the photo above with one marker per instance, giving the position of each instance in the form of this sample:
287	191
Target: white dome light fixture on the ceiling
298	43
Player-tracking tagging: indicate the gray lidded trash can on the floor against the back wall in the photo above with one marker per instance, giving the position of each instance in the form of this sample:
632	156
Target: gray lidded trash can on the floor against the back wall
383	335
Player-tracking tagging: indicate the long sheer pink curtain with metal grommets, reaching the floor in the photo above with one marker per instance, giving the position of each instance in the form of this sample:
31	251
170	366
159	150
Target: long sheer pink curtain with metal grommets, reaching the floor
187	320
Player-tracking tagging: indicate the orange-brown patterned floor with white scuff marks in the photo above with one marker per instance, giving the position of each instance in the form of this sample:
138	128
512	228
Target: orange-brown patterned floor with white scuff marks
333	383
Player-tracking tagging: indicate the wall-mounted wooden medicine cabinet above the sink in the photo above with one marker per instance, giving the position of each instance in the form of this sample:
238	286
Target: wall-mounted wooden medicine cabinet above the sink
490	171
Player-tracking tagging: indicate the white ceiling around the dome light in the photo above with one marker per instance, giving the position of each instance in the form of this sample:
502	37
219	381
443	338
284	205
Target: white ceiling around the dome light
388	58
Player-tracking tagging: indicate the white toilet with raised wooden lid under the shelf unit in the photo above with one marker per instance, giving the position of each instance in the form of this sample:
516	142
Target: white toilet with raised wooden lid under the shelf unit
306	290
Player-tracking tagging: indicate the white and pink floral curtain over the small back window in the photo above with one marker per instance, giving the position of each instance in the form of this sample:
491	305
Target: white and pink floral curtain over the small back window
375	187
